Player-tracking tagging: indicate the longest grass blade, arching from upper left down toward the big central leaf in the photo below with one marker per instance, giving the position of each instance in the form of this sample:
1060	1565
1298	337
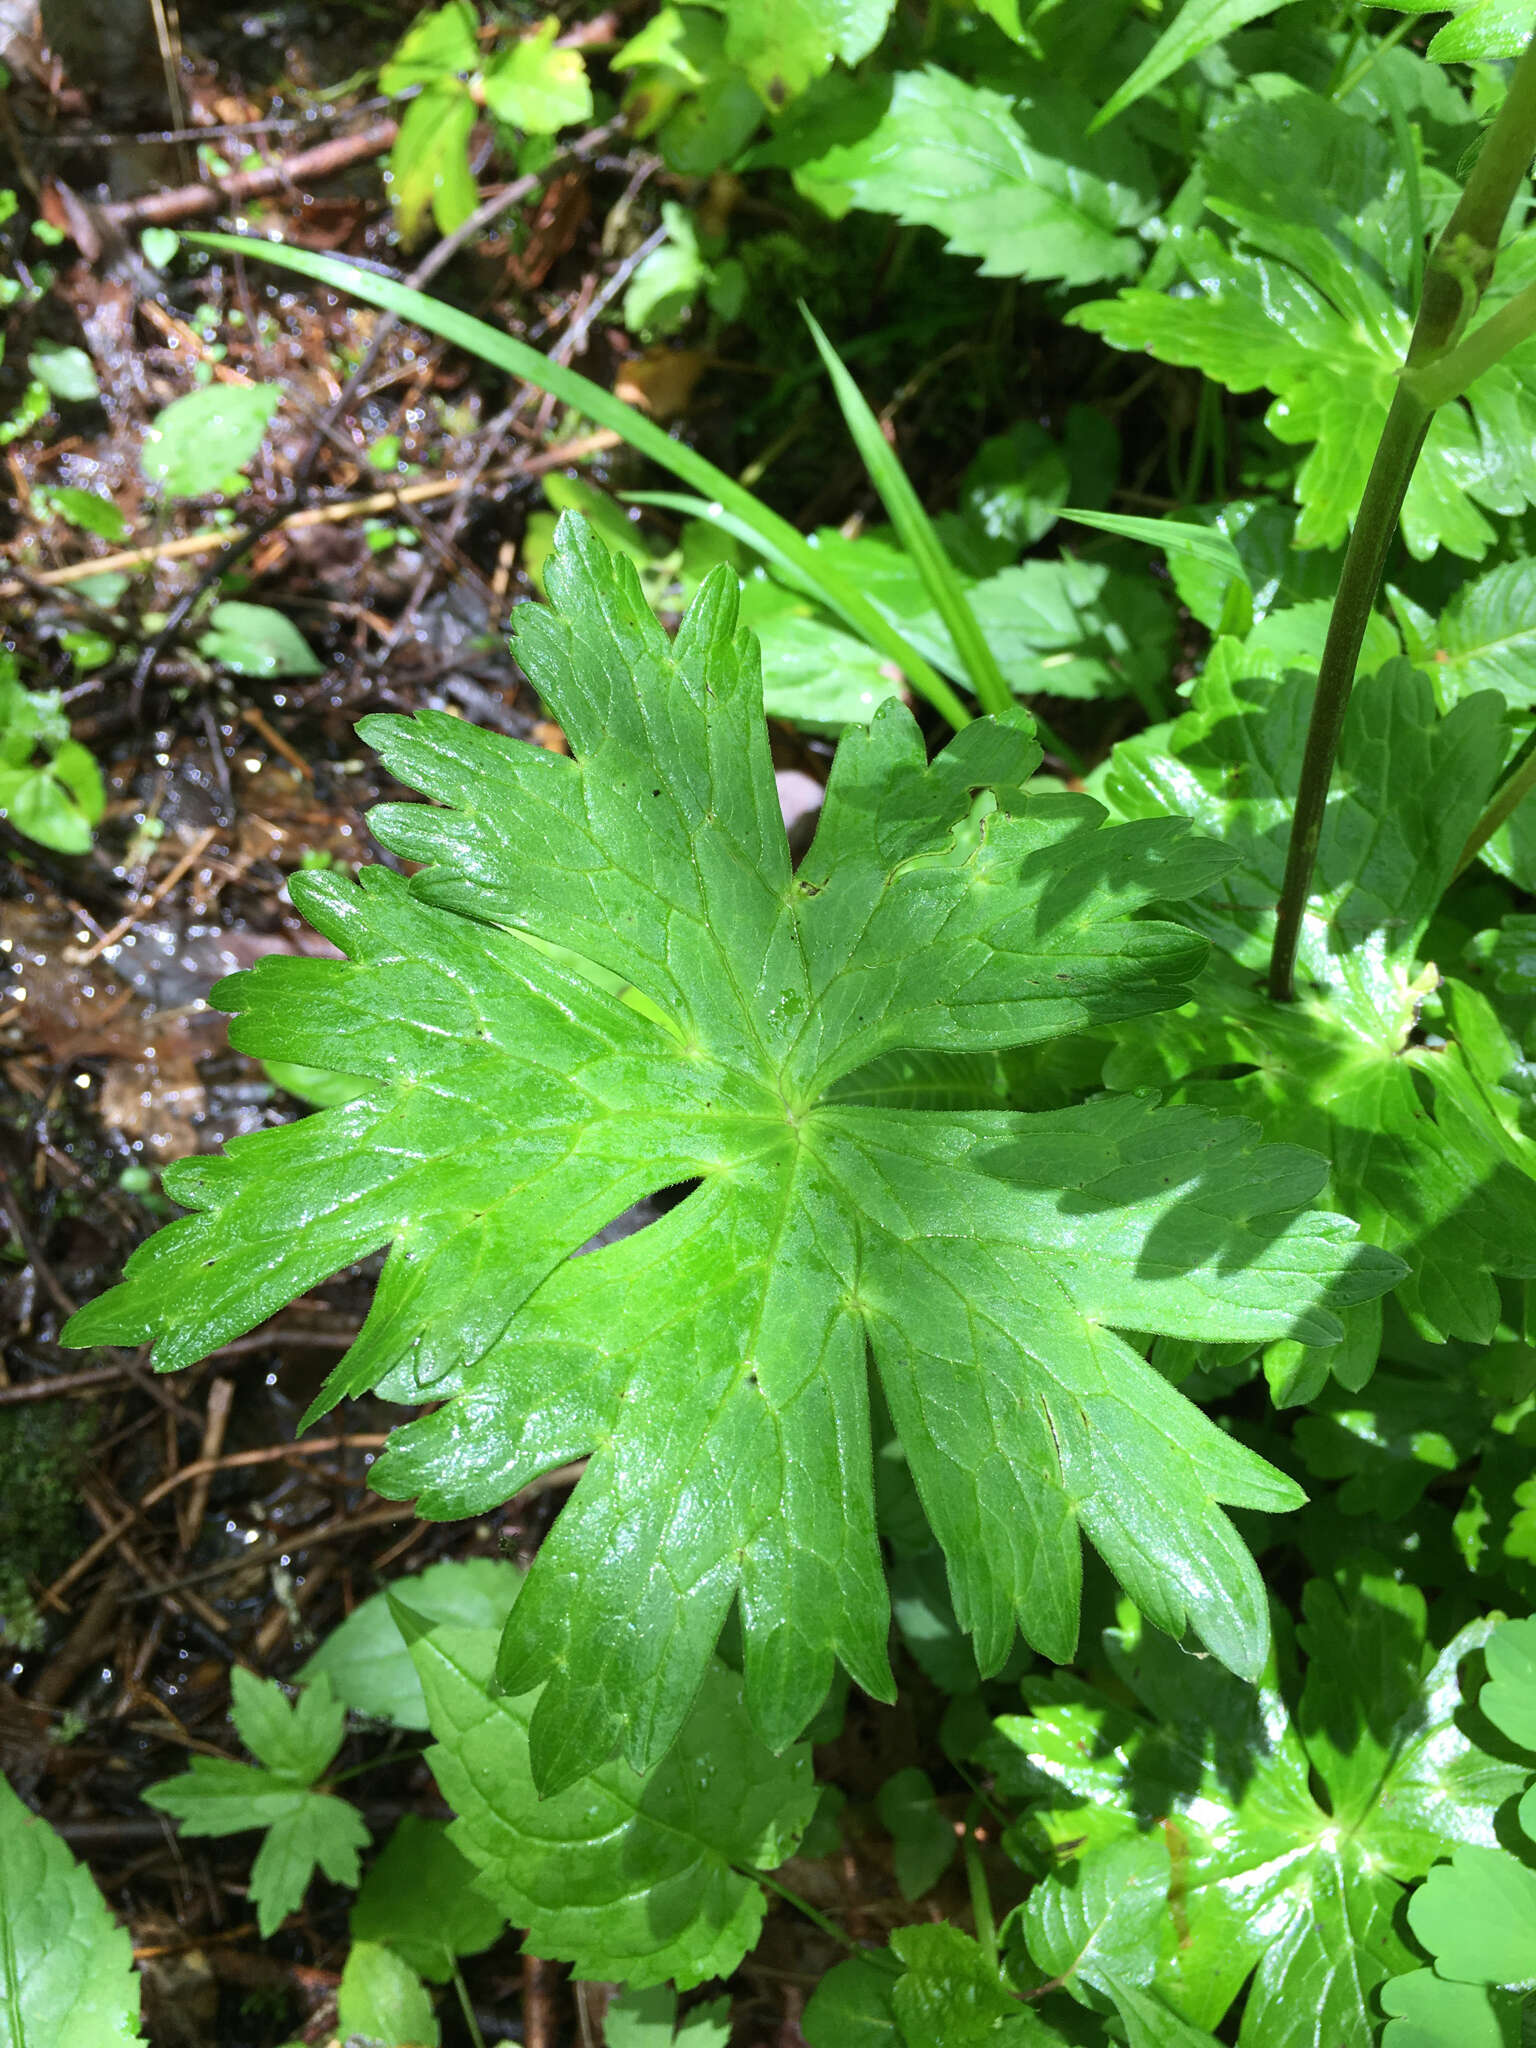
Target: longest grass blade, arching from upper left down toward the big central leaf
767	531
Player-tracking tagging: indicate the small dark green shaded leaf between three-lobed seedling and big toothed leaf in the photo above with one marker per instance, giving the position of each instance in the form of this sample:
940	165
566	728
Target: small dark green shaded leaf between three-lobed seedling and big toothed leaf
421	1900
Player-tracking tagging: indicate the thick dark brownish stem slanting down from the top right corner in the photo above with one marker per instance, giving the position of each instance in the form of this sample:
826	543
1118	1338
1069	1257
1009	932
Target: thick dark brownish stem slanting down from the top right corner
1457	275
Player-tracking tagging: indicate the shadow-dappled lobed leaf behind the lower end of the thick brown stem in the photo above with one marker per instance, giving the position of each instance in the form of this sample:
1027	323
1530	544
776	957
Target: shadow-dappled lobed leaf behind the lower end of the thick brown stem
1418	1148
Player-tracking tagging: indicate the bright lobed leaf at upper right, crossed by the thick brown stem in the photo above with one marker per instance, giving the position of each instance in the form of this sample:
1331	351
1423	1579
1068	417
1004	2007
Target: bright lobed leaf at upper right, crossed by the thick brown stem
1310	294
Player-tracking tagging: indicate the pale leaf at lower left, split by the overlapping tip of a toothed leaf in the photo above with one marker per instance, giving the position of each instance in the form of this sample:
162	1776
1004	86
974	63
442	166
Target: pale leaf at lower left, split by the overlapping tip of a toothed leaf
368	1660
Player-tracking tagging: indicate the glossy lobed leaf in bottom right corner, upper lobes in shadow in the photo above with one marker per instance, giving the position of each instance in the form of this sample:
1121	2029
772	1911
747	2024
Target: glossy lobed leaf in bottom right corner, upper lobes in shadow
1193	1840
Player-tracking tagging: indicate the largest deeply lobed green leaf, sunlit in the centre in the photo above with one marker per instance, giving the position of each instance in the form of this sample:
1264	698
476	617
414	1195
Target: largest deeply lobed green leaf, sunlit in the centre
710	1025
